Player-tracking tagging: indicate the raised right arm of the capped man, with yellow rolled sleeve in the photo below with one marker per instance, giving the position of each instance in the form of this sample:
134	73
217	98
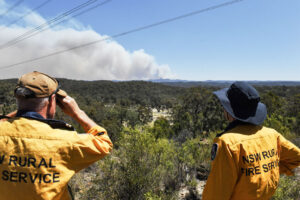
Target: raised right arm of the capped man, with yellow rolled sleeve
87	148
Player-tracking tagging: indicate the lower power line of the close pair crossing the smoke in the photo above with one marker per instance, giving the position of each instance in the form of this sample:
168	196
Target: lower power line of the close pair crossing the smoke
52	25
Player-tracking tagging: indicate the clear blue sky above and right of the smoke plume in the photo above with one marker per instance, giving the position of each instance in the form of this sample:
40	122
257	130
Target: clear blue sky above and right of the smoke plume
250	40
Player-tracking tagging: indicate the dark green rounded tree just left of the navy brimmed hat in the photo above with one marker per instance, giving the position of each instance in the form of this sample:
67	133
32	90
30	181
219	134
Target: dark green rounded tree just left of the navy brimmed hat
198	113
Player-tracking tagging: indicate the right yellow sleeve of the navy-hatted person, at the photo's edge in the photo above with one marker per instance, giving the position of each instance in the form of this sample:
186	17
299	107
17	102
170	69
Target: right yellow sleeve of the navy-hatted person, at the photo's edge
289	156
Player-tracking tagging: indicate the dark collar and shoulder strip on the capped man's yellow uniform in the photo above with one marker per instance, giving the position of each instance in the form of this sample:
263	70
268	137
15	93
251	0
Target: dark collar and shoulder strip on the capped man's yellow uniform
51	122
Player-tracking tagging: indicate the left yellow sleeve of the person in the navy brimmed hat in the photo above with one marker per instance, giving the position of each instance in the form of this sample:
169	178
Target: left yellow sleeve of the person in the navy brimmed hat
223	175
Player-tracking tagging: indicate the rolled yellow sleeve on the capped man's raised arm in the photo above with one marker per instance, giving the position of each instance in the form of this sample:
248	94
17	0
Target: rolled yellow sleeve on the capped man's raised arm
90	147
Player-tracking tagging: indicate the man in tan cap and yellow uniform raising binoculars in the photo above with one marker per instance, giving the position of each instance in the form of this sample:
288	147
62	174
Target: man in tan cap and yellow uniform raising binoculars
39	155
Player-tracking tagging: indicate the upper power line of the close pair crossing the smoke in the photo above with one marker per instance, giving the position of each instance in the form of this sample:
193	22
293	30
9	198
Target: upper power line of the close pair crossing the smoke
44	25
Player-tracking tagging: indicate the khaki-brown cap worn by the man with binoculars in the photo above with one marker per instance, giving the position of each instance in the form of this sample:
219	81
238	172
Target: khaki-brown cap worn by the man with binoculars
41	84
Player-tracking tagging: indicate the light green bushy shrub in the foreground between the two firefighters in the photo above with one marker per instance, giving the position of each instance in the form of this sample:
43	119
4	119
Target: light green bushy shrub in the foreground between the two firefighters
139	167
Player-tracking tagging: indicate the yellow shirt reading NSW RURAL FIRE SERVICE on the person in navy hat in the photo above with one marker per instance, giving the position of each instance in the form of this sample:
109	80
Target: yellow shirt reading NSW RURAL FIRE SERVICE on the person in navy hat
248	163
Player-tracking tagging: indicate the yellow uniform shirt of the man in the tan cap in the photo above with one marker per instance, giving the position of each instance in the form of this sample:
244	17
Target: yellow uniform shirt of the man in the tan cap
37	161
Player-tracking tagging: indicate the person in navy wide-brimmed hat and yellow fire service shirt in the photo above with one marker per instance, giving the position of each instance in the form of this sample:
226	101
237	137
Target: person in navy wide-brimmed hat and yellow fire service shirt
247	158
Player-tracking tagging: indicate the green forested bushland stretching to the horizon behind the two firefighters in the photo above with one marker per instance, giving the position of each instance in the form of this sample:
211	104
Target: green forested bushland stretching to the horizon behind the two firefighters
168	158
